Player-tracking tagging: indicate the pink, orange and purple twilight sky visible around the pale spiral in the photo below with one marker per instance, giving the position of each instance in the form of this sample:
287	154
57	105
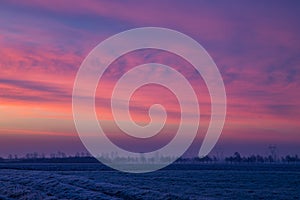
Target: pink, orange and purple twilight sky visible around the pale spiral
255	44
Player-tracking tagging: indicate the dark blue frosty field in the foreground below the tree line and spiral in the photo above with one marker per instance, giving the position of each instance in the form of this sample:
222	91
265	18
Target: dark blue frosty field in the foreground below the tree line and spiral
201	181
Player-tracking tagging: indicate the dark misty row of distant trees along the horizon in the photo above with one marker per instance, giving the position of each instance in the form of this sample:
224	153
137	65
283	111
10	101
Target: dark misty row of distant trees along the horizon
83	157
